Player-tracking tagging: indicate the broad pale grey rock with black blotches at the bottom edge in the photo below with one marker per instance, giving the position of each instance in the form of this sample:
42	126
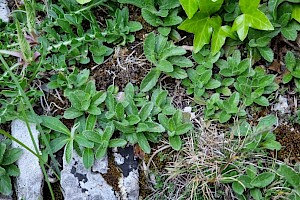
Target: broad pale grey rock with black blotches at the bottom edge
79	183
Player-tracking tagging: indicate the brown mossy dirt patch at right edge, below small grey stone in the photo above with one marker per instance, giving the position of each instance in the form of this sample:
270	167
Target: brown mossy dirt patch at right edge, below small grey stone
289	138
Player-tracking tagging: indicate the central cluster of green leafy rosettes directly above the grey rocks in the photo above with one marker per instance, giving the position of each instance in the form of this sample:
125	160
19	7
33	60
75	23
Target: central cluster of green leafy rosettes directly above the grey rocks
125	117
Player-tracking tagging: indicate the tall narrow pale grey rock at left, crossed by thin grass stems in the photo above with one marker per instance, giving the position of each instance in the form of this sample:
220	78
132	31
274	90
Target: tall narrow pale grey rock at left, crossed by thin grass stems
28	185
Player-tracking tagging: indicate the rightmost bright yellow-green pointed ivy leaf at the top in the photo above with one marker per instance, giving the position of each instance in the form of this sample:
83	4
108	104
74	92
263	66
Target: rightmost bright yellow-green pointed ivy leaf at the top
251	17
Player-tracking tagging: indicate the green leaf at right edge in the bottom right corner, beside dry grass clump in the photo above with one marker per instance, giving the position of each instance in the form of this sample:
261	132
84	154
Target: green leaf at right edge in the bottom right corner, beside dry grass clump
290	175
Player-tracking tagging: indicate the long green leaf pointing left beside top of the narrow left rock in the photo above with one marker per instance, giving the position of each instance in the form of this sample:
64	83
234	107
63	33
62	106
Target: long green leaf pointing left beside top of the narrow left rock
55	124
